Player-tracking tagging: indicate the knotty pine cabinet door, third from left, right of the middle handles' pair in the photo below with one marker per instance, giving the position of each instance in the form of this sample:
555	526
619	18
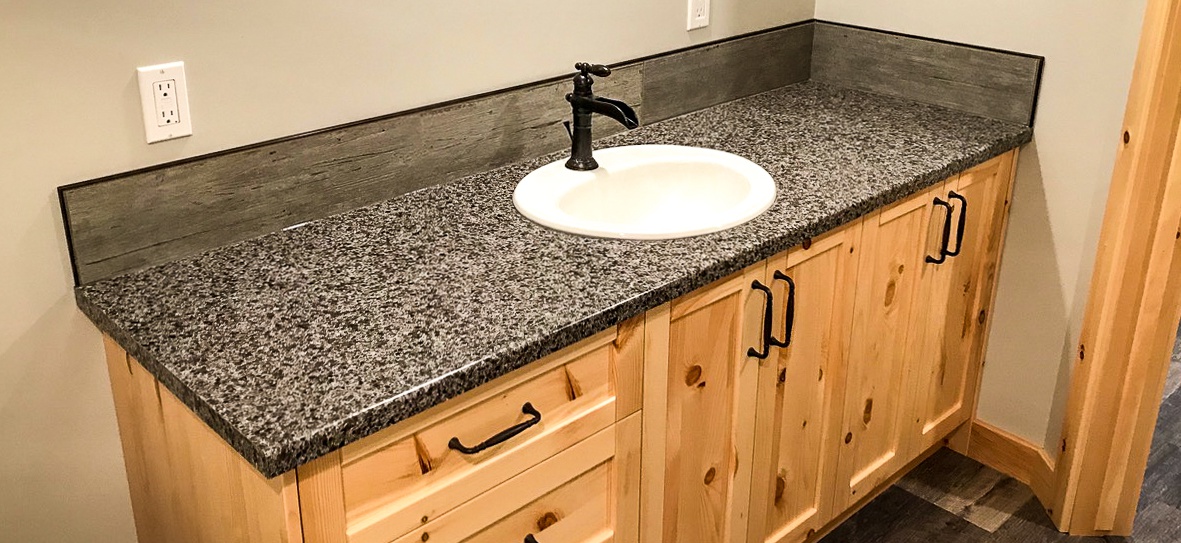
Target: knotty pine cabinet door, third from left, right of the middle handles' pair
893	244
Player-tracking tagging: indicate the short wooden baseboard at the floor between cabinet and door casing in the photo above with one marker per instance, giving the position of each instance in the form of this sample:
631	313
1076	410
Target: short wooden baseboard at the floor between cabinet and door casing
1014	456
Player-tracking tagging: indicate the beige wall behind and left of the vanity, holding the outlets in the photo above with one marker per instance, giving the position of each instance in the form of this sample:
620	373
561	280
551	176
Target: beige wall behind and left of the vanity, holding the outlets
69	112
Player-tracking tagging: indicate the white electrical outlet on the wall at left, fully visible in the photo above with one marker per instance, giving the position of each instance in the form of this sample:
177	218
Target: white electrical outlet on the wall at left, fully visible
165	97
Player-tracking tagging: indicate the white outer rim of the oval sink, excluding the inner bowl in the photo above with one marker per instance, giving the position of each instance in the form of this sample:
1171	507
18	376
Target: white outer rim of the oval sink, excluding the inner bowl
538	195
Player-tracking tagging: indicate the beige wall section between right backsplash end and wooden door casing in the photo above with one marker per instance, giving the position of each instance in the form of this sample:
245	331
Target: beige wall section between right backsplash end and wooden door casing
1061	186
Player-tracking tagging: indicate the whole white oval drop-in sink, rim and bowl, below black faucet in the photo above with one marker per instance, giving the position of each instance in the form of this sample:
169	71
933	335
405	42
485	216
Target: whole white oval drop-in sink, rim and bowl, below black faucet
648	193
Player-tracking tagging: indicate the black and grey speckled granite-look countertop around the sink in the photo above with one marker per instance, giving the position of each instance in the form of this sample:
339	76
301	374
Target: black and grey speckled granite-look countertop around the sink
298	343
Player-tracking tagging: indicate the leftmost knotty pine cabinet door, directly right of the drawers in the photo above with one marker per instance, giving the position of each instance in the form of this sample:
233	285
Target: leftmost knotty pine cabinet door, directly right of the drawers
700	411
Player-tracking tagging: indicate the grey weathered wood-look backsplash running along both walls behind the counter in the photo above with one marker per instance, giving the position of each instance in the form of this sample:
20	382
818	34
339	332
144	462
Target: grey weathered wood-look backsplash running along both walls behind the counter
146	218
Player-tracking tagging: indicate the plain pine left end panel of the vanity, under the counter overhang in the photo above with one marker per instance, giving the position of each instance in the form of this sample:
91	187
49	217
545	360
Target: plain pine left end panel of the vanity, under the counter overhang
187	485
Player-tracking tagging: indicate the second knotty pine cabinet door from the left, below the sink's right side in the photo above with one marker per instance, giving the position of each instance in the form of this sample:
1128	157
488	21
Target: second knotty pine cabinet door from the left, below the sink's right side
800	390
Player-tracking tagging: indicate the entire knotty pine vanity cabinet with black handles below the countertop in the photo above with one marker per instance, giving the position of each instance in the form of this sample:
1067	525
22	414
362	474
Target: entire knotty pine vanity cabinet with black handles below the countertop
760	409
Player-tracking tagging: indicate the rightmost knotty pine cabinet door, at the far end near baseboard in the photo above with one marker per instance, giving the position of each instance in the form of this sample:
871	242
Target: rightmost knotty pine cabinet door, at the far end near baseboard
948	329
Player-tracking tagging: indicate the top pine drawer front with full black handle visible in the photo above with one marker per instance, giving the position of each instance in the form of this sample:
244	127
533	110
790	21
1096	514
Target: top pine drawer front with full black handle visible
404	481
